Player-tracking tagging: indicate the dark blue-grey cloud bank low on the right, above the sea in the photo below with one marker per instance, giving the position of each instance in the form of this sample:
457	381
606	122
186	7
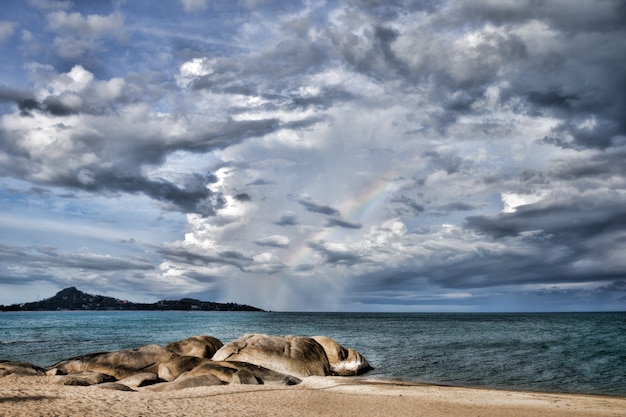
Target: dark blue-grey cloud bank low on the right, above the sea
573	242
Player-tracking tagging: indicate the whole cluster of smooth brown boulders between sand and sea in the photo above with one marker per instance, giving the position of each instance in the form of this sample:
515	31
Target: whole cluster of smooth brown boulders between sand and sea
202	361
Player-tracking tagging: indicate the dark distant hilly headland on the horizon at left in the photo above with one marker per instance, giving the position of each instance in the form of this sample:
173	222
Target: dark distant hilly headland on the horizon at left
73	299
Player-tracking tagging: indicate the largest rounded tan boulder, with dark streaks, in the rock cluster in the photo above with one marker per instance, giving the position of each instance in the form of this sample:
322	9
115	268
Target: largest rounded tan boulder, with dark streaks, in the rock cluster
292	355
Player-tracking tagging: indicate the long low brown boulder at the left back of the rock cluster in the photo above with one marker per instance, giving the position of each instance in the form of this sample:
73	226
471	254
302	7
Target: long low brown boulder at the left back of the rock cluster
119	364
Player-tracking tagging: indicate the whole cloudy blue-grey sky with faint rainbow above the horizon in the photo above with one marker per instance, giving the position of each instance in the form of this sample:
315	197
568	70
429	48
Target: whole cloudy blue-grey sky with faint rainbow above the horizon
347	155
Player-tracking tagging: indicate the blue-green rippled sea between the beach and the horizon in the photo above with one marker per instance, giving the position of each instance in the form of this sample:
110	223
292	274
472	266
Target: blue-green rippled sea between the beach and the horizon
546	352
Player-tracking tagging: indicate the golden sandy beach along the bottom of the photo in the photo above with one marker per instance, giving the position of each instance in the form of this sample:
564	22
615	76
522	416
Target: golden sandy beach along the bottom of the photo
315	396
